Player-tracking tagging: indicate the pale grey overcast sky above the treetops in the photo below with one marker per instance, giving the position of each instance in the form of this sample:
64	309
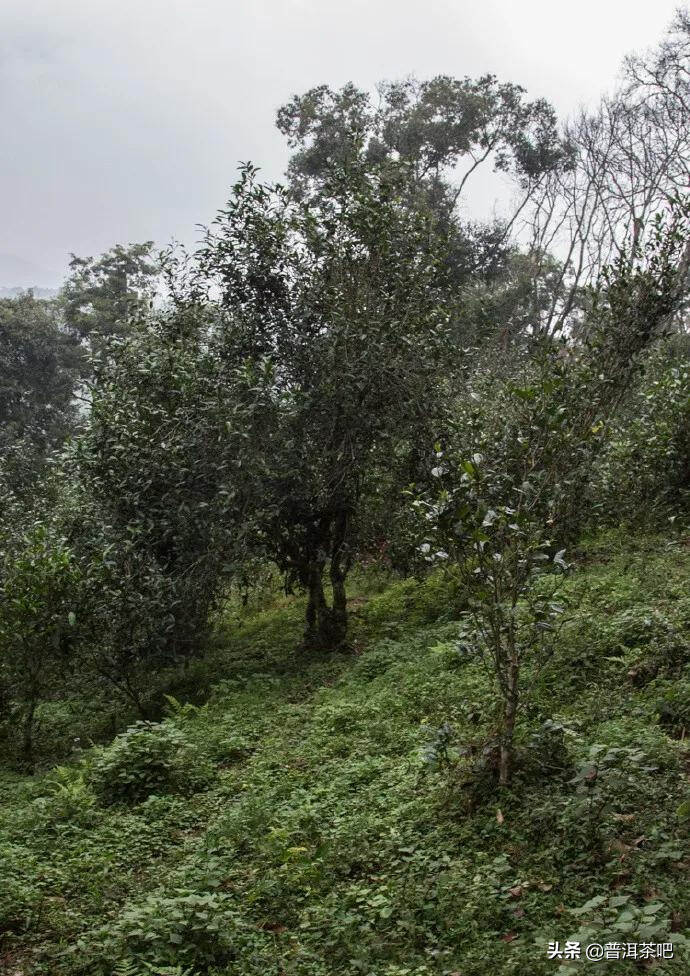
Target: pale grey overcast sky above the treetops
124	120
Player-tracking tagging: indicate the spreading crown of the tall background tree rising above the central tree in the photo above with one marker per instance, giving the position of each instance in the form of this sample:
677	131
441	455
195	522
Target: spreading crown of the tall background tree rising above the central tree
438	133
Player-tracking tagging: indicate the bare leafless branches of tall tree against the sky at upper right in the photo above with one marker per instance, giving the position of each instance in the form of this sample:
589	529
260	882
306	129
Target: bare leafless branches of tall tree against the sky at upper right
627	160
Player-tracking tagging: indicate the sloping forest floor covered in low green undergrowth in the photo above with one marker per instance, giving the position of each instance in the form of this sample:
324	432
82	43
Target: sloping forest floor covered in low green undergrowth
349	824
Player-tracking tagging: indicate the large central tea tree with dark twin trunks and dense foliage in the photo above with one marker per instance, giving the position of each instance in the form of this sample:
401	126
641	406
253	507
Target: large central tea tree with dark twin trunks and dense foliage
336	308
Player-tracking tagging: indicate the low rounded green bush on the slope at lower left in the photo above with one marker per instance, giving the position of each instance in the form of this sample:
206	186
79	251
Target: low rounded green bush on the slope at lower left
147	759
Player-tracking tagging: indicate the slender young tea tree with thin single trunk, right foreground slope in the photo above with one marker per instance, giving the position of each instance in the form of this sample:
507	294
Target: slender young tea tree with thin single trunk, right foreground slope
493	517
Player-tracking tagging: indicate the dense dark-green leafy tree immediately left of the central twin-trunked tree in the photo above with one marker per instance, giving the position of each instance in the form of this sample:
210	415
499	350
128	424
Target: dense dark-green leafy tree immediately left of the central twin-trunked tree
161	461
